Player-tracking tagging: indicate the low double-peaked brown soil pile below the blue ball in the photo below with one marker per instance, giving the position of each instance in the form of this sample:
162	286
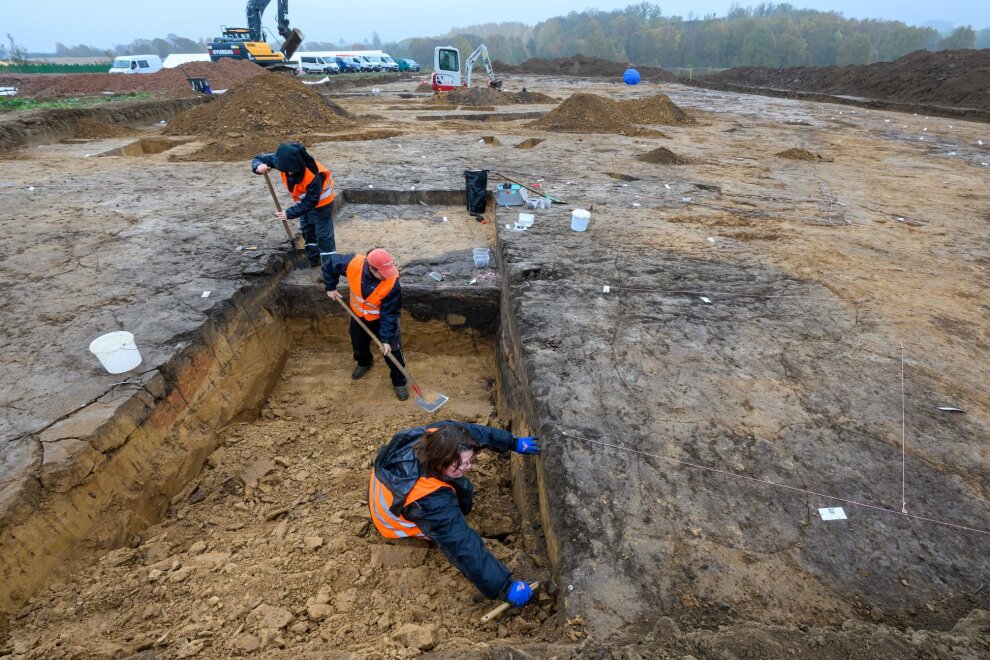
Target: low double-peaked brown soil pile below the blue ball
589	113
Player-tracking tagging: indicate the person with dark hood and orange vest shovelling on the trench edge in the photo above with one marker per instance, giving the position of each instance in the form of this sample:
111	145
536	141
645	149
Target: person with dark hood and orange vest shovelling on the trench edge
311	185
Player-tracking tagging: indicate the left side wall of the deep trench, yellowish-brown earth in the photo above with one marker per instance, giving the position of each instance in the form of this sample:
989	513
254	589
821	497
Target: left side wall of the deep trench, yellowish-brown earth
109	469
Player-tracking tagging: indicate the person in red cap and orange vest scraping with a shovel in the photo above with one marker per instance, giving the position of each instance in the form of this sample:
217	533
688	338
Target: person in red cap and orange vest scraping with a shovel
376	299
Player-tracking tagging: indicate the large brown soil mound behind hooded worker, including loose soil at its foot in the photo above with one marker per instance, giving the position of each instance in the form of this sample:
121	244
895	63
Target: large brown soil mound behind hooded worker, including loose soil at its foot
256	115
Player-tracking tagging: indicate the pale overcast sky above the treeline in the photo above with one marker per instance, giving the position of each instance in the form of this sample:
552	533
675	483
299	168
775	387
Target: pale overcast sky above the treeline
102	23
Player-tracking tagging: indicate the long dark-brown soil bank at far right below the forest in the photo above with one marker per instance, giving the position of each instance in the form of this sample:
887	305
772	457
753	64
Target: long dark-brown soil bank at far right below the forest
956	78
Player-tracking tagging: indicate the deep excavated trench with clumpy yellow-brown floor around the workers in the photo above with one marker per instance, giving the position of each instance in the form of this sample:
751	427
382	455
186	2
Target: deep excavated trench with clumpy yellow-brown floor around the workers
228	507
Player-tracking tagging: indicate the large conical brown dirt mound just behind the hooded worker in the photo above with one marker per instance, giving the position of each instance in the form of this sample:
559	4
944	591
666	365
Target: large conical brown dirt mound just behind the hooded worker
272	105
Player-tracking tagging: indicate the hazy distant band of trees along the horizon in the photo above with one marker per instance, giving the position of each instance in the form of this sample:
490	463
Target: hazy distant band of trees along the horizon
766	35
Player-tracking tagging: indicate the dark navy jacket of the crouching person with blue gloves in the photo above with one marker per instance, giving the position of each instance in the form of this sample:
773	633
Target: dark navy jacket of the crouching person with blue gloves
440	515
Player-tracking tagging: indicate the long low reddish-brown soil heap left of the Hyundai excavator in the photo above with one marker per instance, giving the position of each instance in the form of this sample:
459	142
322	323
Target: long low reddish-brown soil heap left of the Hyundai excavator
222	75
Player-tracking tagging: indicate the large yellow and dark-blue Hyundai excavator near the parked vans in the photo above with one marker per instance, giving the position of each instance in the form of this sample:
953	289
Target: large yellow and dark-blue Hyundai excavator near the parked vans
249	43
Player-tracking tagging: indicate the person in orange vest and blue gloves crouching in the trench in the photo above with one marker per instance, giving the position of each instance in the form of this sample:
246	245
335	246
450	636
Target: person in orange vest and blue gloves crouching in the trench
418	489
